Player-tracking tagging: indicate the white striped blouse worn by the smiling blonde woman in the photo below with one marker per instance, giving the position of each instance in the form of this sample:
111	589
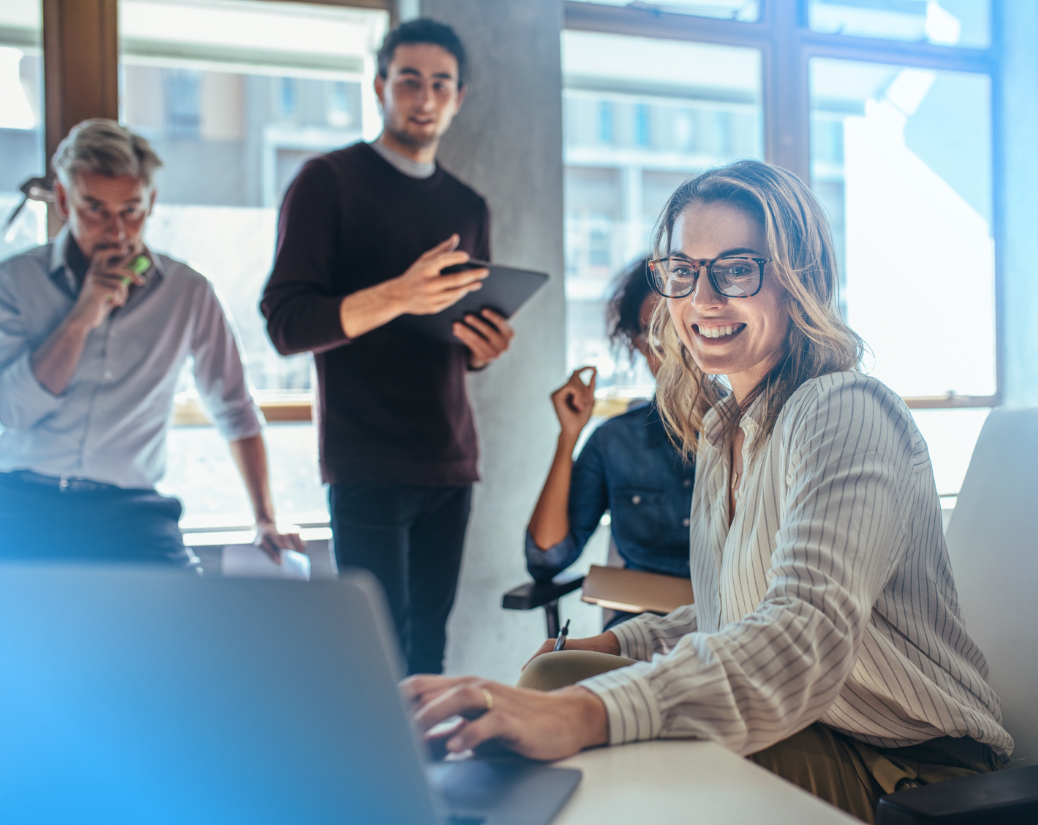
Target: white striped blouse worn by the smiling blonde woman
830	599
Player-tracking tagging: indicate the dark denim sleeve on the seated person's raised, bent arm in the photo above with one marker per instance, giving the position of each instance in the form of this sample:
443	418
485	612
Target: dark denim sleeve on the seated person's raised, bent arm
589	500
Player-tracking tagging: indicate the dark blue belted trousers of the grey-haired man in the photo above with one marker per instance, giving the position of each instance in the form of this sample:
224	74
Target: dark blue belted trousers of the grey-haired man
45	520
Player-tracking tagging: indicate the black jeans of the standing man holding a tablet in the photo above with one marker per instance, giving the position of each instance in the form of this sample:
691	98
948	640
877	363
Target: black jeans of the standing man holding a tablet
412	539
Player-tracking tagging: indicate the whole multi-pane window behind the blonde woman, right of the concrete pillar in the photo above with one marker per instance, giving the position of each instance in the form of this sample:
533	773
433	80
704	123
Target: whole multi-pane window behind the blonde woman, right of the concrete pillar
885	106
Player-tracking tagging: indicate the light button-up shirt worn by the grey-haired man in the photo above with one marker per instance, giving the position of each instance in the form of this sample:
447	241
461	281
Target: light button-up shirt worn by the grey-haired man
111	424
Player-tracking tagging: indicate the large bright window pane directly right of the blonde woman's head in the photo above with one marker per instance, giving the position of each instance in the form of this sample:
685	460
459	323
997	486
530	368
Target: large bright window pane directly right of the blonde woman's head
912	213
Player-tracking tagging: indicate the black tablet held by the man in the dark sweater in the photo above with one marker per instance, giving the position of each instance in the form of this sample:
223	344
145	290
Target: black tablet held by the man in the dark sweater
505	290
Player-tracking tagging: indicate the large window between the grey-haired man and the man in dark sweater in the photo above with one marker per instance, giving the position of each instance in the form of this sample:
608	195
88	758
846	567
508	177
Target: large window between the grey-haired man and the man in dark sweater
235	96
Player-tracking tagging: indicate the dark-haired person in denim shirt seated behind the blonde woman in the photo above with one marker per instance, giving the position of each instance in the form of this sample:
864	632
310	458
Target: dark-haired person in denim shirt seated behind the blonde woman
629	467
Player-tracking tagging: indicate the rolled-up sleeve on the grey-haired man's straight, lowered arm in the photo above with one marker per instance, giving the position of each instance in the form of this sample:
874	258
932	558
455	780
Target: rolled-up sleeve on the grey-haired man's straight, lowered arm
220	373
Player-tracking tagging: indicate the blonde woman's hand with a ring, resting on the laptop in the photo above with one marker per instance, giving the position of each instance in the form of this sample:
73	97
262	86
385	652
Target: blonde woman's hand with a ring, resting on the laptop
541	726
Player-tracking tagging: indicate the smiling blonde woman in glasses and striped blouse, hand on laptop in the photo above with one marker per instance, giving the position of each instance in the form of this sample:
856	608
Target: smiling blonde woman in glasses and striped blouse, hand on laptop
827	643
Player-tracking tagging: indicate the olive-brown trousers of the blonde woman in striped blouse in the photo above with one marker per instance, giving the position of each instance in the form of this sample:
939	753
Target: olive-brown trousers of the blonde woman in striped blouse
843	772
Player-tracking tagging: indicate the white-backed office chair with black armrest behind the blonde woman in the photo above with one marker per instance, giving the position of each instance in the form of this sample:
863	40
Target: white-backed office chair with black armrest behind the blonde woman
993	541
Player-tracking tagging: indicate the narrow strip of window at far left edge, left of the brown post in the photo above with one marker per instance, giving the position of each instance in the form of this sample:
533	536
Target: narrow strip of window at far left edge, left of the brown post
21	124
